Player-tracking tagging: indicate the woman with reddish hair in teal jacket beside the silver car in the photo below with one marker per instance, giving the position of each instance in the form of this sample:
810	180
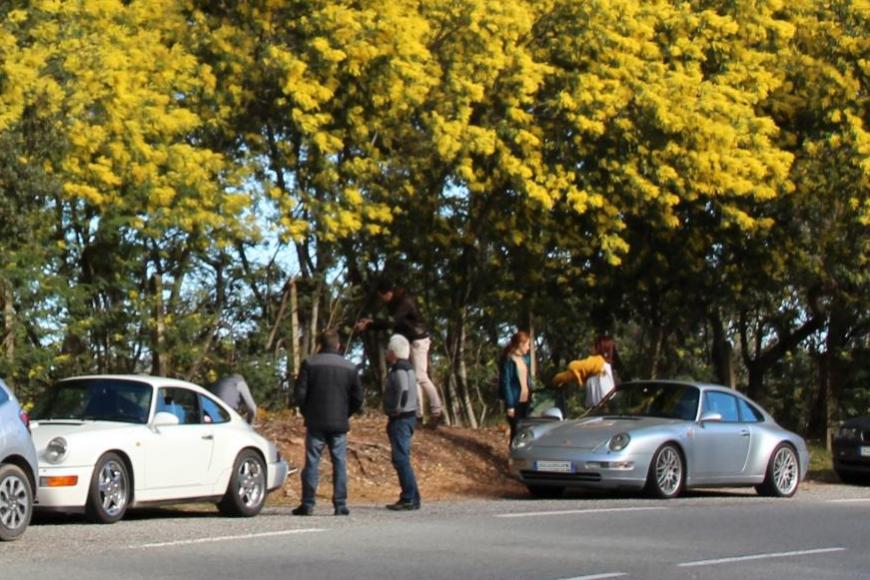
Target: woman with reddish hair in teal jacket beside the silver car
515	379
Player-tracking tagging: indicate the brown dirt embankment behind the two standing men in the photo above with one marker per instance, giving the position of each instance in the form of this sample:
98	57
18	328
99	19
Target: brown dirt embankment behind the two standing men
450	462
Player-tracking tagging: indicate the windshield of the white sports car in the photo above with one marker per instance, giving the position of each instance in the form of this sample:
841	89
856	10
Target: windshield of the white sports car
119	400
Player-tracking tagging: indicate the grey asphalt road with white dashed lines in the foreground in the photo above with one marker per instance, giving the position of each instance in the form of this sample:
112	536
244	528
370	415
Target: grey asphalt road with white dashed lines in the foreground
821	533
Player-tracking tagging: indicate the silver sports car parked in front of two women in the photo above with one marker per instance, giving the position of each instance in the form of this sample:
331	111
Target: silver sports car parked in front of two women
663	437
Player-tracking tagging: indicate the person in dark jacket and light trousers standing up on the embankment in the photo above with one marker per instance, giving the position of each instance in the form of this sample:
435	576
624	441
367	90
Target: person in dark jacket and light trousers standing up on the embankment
408	322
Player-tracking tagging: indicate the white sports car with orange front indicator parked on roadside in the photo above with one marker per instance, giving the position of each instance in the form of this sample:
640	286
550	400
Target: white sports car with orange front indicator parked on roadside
109	442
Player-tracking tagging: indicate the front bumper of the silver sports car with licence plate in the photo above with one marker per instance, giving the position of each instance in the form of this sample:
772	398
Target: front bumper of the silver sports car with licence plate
553	467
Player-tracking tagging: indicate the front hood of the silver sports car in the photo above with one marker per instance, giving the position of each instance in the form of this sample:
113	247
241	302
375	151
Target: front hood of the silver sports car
591	432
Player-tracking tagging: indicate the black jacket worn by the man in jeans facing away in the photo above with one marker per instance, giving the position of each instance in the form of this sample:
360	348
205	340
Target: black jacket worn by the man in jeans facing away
329	391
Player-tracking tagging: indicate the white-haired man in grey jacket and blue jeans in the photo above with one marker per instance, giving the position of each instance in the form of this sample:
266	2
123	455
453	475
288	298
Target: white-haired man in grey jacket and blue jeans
402	407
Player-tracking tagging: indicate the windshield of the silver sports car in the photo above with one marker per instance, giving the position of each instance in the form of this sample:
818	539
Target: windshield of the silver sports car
665	400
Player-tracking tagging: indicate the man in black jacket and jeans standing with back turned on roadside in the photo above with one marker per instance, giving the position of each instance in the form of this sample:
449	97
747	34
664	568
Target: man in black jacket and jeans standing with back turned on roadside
329	391
